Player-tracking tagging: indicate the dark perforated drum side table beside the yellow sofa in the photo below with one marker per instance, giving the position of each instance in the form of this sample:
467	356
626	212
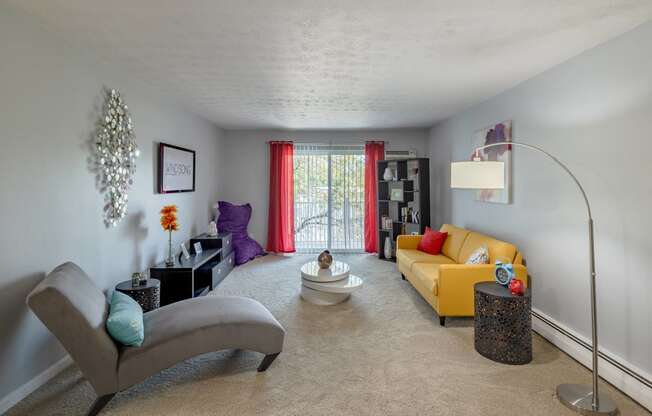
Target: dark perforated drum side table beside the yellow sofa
503	324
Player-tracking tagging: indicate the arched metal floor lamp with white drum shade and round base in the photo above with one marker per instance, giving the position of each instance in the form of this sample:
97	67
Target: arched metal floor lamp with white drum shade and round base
480	174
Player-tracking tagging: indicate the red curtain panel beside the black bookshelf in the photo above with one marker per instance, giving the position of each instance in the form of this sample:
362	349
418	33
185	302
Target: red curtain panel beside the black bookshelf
373	152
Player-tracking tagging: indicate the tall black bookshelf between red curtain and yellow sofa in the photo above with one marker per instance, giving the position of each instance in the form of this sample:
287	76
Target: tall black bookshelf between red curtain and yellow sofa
408	191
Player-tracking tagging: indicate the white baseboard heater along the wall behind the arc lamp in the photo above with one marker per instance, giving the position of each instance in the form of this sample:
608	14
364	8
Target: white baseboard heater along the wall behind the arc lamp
633	381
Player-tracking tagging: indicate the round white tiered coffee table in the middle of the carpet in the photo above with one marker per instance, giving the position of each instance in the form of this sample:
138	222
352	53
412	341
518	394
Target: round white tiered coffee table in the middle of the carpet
327	286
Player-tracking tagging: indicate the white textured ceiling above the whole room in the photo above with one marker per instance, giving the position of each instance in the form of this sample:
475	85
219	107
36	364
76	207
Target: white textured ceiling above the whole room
336	64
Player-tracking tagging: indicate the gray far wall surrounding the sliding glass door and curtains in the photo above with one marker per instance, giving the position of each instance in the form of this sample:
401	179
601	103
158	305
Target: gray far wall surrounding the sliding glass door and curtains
246	161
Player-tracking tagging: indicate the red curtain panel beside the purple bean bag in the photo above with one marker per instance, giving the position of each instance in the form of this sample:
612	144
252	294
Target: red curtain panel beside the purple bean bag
280	228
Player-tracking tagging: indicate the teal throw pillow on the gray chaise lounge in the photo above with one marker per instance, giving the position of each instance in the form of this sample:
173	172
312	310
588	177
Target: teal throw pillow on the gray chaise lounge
125	321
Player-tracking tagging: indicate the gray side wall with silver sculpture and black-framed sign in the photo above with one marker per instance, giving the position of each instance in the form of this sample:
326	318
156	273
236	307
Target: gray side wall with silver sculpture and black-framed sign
51	211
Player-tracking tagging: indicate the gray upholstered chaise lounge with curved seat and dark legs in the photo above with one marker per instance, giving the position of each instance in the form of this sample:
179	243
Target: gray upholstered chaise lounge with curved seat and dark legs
75	310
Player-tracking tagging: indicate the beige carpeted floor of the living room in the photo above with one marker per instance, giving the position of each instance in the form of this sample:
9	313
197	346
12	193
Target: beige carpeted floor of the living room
380	353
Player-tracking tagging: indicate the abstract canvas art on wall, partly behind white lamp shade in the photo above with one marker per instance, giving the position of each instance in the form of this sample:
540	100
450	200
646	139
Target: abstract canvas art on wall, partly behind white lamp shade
501	132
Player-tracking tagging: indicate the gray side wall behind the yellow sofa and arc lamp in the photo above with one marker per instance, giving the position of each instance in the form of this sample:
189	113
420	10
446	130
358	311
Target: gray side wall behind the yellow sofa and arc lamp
595	113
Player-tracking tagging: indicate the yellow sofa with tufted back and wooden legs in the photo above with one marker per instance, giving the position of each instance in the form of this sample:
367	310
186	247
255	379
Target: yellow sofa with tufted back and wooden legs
444	280
